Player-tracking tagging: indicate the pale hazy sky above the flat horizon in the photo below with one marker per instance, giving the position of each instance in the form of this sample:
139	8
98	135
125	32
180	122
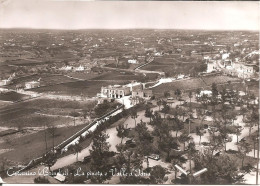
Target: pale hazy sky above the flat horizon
232	15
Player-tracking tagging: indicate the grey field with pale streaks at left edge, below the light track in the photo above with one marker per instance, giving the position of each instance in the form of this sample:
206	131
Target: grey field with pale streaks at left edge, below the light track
40	112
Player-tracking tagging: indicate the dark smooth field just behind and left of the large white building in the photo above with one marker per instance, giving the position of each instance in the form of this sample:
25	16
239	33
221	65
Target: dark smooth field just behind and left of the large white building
79	88
